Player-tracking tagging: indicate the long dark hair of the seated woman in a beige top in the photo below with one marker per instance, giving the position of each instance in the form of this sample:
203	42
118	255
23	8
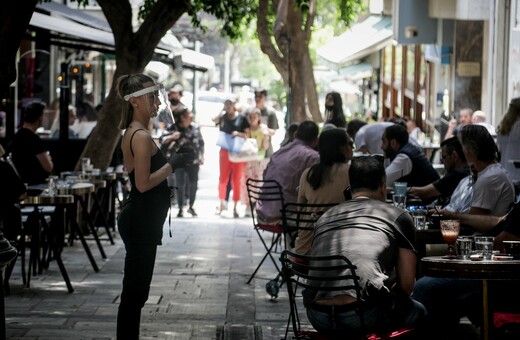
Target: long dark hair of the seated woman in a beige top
331	146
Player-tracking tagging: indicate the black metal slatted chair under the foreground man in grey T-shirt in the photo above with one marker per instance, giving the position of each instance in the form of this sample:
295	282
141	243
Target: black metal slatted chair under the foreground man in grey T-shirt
305	271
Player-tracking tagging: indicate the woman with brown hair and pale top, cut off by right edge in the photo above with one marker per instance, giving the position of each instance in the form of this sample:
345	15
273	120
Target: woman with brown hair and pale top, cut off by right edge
508	139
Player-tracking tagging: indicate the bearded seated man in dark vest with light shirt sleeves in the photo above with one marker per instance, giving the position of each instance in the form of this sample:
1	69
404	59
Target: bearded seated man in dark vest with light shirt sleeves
407	162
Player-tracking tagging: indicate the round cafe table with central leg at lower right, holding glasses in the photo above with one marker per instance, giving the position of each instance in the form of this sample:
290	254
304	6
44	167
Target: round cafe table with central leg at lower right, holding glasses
484	270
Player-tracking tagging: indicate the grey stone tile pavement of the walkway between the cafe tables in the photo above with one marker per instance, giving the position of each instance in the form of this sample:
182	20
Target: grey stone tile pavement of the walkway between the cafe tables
199	288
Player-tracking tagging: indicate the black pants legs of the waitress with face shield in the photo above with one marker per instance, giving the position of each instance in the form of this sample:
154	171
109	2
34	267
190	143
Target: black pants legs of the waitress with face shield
139	264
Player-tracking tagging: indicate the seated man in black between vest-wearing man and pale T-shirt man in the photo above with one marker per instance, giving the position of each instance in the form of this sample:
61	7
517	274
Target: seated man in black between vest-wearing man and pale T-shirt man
456	167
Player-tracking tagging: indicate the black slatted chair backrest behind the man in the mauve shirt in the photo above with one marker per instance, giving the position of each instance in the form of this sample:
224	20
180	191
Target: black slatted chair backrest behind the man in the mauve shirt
265	190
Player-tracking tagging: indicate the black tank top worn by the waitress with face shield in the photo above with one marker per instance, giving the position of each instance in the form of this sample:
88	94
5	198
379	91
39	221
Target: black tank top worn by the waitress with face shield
143	214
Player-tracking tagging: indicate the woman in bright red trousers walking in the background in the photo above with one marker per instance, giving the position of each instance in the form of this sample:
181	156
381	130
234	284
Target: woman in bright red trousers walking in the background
234	124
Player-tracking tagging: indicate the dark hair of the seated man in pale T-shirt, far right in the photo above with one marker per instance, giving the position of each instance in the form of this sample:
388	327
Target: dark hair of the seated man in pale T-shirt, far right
477	139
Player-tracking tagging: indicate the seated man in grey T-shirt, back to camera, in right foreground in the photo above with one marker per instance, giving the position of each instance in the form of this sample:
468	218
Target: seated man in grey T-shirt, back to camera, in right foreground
379	239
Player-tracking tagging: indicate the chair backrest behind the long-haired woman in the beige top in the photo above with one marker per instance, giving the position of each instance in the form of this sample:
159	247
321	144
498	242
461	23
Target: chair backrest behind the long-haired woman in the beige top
303	216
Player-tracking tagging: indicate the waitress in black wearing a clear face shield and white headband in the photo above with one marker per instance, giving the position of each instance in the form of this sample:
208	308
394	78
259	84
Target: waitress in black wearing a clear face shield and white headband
141	220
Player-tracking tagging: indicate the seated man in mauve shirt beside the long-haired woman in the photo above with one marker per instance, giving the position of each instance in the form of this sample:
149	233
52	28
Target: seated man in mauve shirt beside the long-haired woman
286	167
